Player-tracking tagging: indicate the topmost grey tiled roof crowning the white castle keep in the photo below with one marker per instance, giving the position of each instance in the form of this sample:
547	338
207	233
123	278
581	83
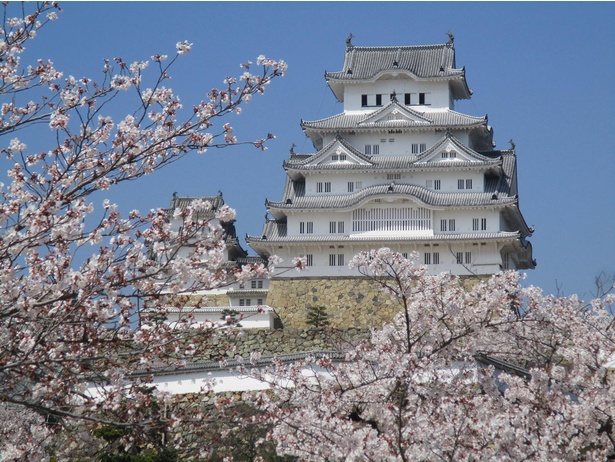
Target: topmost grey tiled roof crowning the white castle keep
426	61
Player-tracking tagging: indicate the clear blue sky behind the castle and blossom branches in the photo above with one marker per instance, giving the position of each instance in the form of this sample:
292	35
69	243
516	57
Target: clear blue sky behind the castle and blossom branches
543	72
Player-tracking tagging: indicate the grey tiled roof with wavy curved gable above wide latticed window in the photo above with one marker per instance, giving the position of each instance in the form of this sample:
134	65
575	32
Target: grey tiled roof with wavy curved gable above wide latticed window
424	195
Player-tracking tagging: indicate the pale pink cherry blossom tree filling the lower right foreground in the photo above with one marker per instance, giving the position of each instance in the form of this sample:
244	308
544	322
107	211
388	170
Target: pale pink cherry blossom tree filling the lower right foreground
495	371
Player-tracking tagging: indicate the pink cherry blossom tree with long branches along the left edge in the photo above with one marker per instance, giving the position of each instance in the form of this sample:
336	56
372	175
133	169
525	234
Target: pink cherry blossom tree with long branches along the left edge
73	270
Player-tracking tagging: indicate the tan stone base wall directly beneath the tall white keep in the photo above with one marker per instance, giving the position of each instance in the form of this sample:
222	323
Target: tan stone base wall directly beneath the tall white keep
350	302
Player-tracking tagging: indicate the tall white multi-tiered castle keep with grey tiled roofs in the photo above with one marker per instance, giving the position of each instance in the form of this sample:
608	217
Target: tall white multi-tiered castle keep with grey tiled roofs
399	168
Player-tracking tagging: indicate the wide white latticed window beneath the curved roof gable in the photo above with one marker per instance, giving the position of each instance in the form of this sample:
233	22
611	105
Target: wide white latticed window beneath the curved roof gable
391	219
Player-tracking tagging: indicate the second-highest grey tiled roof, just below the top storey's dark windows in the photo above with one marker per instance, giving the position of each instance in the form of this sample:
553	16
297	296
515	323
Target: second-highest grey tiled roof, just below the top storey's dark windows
357	121
